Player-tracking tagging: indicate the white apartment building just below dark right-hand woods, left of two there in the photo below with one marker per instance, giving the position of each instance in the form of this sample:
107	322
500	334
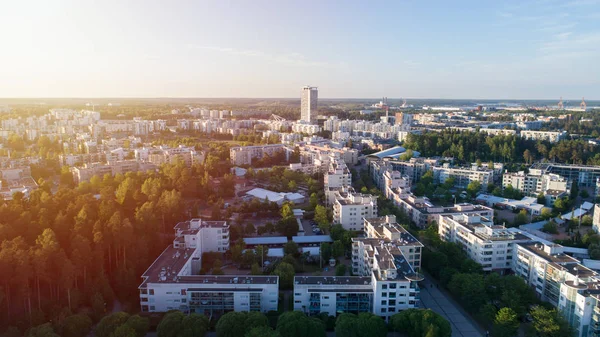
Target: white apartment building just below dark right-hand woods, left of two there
464	175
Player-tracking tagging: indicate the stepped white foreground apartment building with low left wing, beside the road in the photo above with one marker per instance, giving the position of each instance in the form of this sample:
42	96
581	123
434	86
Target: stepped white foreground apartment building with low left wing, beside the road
387	262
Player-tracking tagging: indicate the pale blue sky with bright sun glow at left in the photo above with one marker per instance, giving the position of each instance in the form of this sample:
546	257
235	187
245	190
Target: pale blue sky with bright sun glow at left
264	48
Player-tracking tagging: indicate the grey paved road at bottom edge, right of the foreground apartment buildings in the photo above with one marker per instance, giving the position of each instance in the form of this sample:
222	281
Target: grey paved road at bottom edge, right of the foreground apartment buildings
462	324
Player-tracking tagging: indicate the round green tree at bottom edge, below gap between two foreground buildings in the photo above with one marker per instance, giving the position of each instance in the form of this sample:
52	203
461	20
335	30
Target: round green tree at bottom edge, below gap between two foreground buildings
297	324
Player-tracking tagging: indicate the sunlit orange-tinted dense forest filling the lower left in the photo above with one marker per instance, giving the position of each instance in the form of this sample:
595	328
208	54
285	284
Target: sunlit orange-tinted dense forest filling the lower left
82	247
